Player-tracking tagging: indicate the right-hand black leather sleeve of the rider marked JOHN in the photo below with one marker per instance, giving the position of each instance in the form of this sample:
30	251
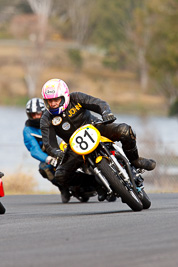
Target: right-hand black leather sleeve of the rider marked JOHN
91	103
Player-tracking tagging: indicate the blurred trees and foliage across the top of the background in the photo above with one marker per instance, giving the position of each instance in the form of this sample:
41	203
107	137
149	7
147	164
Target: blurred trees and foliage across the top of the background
137	36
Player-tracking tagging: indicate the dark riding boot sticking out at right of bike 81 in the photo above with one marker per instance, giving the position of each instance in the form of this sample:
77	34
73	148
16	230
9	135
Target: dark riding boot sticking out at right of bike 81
138	162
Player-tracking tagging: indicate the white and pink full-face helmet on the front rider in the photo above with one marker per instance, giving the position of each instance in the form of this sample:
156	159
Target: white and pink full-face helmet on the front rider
55	88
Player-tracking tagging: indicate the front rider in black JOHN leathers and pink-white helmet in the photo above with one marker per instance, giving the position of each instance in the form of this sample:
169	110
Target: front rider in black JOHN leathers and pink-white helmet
67	112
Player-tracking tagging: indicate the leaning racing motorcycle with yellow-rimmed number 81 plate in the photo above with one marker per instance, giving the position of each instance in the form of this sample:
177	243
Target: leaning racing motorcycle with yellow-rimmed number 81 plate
107	161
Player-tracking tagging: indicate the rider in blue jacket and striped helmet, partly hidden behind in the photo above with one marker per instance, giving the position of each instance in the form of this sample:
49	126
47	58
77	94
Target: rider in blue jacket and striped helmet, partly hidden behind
33	139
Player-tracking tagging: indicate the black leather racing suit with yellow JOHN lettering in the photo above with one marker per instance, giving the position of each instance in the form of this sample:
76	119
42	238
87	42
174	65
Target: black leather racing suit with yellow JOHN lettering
78	114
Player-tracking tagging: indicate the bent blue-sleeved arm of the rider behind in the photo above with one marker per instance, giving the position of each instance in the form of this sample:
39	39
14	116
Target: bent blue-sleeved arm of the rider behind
33	146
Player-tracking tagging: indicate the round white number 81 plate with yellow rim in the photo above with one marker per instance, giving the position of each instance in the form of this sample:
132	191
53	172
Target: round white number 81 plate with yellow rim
85	139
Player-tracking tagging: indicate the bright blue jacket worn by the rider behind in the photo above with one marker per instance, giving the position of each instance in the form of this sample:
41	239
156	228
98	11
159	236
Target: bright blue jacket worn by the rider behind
33	142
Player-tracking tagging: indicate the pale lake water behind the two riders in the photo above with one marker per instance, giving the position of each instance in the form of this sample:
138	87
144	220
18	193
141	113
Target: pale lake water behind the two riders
14	155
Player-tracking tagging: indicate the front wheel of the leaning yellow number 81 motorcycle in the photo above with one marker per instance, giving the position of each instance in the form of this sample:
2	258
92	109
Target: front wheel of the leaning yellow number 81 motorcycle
128	196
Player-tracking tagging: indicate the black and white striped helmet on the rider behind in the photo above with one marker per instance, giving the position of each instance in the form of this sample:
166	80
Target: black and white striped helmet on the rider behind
34	105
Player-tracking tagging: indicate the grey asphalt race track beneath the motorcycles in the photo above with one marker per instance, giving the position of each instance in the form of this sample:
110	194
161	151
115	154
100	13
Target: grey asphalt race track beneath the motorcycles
38	230
